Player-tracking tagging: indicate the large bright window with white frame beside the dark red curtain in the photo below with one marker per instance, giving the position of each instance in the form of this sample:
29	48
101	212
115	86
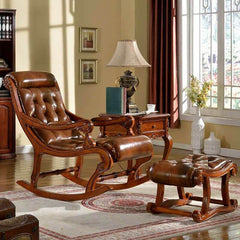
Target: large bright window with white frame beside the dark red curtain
210	49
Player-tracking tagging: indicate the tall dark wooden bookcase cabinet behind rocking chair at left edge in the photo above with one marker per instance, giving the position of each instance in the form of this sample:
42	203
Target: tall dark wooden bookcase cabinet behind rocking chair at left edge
7	64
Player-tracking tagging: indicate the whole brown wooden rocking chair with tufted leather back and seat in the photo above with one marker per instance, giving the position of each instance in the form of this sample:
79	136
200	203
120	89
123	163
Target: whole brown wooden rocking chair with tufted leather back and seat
53	130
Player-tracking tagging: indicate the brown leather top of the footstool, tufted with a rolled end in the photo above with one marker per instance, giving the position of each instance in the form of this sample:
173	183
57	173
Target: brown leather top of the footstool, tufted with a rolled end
186	172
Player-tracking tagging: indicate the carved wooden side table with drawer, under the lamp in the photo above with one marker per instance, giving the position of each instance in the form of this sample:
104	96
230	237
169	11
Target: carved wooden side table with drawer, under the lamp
153	125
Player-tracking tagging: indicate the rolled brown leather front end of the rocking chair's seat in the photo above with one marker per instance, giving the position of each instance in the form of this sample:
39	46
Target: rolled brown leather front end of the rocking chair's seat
125	148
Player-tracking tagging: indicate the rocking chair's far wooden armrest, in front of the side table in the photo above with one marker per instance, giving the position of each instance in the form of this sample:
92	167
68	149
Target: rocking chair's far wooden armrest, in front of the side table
125	121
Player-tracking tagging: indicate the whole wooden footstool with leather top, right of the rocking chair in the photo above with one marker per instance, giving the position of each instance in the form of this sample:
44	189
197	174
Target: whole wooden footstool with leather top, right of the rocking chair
189	172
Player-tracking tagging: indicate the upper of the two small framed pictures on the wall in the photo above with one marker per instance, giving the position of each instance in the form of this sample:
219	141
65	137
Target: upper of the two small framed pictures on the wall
88	39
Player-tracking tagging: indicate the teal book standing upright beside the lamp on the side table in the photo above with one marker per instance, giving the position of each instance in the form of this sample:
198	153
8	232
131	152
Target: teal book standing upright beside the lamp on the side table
116	100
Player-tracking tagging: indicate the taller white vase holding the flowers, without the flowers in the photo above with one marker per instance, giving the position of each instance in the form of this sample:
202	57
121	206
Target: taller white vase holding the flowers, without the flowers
198	132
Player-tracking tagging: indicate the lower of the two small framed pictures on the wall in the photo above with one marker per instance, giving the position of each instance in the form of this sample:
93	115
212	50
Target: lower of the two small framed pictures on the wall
88	71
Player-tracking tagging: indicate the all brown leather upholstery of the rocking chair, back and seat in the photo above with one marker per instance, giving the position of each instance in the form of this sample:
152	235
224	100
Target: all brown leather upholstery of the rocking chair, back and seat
41	99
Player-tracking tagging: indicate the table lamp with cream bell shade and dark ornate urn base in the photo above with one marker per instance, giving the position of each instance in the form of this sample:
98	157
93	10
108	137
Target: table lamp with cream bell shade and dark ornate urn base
127	54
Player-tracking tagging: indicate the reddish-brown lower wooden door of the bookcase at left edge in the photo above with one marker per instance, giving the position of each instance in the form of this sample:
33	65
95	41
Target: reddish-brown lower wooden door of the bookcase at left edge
7	129
